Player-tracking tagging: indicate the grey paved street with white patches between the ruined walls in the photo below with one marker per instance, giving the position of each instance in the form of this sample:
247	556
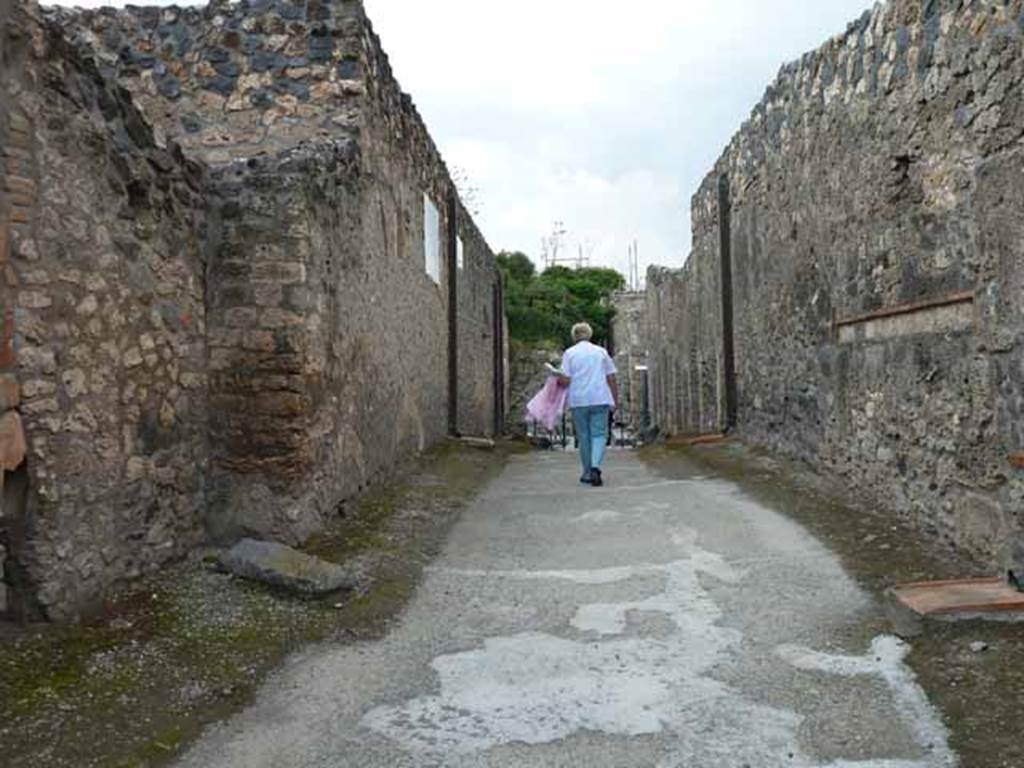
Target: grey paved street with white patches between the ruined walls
654	623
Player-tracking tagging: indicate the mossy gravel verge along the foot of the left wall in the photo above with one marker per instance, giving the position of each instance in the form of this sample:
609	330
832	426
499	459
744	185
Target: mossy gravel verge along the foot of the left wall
139	681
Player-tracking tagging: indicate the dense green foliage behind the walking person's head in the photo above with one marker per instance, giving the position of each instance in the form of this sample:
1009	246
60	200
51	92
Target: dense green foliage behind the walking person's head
544	308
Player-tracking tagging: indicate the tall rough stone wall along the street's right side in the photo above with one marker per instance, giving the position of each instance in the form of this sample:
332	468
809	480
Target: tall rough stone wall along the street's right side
877	247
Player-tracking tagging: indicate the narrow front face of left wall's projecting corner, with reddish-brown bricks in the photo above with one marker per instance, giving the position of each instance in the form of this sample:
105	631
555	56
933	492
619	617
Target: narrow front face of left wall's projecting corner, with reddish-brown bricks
283	253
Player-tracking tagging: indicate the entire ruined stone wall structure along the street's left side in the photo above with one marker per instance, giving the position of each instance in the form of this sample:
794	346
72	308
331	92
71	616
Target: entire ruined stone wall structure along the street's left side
225	326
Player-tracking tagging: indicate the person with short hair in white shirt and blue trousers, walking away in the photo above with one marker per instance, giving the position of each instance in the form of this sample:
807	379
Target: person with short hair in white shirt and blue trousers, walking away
590	375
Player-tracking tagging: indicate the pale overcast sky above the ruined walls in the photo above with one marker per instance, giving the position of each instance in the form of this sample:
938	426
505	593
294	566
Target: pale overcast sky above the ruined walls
603	115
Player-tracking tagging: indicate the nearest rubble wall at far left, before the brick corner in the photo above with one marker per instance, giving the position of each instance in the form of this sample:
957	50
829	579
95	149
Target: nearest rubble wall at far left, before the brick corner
107	313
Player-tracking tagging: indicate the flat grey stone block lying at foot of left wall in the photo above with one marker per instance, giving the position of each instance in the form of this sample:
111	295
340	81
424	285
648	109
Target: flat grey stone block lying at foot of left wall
288	569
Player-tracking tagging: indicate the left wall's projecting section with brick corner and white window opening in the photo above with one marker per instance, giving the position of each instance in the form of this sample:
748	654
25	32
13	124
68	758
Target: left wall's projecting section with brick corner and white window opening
349	373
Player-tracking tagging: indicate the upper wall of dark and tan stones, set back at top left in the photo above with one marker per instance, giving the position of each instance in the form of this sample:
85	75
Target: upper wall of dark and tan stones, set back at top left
236	80
